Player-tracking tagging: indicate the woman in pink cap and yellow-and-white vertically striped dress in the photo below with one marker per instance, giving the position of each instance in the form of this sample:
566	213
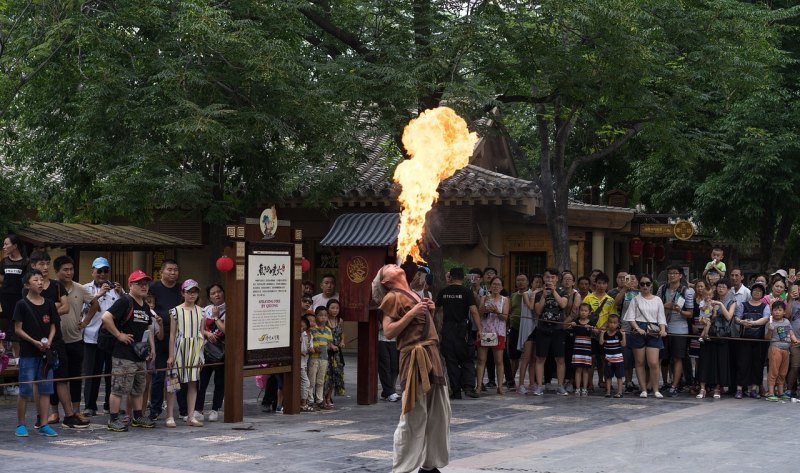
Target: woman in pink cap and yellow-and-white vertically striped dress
187	335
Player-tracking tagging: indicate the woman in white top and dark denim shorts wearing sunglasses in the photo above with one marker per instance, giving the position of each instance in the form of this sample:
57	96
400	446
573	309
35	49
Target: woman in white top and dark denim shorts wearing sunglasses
649	326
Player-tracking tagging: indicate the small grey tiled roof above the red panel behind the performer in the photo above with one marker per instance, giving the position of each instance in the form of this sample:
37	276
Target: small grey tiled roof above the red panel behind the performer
363	229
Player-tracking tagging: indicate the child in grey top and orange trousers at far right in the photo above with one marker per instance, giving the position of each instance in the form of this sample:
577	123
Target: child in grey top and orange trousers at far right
780	334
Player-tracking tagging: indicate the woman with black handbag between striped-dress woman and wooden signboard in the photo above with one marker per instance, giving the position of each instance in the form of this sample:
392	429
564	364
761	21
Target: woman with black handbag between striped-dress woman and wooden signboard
214	352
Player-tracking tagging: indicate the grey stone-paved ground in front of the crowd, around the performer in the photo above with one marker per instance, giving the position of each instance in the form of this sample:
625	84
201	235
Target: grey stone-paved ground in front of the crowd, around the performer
511	434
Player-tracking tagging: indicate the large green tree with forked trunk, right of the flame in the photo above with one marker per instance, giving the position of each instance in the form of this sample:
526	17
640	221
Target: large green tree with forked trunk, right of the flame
579	80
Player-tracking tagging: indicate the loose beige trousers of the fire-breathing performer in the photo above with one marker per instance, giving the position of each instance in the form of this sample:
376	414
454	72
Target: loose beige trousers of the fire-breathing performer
422	438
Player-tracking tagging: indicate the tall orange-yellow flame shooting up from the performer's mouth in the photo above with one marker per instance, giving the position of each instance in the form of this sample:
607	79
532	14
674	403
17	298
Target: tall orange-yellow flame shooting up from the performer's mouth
439	144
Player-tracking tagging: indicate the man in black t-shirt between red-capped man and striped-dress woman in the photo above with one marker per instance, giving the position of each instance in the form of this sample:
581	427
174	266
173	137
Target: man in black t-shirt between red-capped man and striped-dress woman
167	293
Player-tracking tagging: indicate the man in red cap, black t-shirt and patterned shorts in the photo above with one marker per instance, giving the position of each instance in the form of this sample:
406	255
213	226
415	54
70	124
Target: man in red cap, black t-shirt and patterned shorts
128	320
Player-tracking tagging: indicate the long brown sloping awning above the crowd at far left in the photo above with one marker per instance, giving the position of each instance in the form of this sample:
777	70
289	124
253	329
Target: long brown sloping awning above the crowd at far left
86	236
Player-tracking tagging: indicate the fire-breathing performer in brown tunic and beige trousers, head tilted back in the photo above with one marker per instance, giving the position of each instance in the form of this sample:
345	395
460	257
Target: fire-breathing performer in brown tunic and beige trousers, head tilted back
422	437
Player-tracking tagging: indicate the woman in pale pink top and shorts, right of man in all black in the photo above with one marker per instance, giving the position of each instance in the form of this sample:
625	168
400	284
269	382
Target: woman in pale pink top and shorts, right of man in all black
494	313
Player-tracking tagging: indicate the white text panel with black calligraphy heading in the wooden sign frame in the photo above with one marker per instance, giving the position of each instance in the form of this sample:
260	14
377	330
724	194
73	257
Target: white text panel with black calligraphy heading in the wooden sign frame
269	303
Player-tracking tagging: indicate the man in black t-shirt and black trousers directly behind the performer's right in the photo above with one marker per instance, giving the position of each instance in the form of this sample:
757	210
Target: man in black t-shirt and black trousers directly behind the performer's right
457	304
